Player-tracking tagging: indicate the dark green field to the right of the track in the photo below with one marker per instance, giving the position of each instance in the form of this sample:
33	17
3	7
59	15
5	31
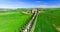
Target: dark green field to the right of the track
48	21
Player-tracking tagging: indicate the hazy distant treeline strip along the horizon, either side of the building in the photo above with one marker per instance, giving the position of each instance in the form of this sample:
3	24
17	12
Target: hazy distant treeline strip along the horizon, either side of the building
28	9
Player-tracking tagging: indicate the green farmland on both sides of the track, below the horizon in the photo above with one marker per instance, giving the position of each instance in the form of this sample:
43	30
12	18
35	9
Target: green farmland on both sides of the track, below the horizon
47	20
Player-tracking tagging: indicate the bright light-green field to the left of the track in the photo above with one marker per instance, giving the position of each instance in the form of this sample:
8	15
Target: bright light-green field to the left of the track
13	21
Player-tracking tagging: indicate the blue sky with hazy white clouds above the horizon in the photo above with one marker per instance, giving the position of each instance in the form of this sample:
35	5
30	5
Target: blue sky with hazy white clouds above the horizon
29	3
